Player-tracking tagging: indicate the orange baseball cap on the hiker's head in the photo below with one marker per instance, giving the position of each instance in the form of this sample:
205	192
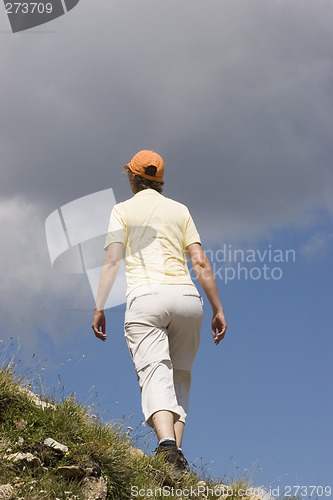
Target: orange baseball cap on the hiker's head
144	159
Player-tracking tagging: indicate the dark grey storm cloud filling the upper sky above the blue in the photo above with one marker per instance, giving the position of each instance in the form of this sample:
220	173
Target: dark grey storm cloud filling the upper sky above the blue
237	97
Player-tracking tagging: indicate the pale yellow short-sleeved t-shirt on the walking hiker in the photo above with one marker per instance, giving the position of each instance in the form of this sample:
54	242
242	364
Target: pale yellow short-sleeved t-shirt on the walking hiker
155	232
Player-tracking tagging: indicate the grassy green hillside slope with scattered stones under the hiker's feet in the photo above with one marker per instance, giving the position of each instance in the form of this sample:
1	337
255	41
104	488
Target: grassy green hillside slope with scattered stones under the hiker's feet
103	447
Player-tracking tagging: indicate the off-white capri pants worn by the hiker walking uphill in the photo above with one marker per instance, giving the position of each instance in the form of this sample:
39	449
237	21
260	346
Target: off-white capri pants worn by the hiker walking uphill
162	330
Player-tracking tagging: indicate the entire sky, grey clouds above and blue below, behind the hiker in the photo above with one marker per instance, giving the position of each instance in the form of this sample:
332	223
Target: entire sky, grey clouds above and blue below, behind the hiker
236	95
